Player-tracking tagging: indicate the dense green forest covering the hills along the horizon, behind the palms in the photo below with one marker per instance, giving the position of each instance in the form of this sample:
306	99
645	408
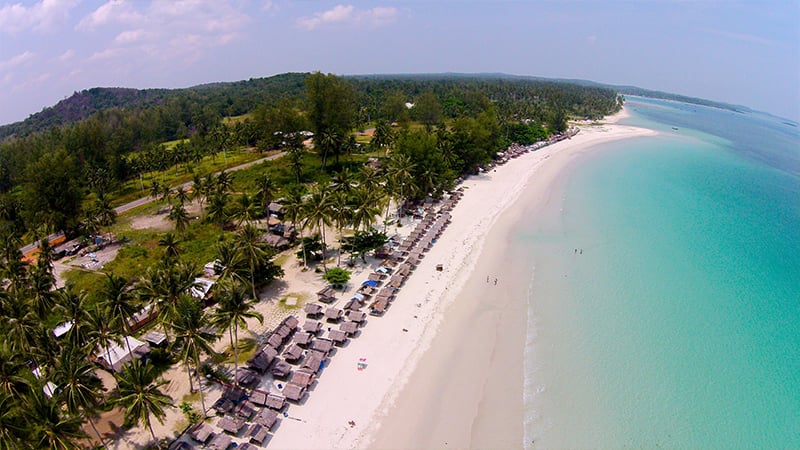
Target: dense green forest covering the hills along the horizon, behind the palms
97	139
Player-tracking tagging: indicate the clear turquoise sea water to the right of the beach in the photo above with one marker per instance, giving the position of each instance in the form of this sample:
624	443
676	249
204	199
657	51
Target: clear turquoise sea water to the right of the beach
679	324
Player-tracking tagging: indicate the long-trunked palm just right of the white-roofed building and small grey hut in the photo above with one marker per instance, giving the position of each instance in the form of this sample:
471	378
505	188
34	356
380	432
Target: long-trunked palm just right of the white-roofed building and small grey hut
192	337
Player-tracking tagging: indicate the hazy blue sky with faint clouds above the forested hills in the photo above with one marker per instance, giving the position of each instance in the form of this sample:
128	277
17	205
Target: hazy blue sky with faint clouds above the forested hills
743	52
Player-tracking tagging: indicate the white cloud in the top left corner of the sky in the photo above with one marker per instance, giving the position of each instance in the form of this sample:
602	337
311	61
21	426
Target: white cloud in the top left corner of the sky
44	15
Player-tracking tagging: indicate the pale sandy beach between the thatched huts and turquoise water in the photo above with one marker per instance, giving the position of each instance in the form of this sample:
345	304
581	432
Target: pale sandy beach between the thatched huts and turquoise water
417	392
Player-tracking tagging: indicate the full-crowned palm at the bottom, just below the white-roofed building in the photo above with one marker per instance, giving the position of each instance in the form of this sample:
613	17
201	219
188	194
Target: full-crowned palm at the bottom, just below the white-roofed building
139	395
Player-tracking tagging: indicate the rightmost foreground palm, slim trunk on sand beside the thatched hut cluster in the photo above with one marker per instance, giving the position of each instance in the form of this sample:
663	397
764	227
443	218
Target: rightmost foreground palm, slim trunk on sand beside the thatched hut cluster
233	308
